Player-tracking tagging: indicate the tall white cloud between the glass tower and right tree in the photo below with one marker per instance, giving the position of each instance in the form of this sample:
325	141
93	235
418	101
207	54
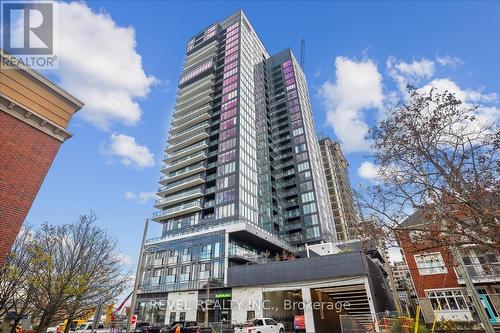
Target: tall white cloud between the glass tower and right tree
358	87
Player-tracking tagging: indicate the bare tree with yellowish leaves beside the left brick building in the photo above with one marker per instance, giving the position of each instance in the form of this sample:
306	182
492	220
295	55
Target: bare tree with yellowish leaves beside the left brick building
77	266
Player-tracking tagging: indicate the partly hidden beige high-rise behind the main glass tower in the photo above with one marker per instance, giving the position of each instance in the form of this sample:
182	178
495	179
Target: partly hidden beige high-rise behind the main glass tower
337	177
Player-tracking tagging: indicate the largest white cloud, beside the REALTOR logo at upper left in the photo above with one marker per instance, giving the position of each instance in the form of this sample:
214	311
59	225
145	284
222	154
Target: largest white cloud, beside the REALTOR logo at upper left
99	64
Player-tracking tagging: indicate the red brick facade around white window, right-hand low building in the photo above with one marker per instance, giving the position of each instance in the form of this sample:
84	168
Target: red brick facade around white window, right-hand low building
434	281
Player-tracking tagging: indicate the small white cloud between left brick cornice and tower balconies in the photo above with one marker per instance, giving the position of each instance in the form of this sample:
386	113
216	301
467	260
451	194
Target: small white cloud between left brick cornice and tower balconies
130	153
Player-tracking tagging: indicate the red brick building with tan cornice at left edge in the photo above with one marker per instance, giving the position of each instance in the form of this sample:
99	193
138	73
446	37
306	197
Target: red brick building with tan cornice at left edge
34	115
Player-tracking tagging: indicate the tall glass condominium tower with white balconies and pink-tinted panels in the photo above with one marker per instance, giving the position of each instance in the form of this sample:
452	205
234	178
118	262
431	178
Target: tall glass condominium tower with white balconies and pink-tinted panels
242	173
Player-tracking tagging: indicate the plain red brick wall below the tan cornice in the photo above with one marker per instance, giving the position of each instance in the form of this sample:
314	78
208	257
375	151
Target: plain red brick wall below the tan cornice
26	154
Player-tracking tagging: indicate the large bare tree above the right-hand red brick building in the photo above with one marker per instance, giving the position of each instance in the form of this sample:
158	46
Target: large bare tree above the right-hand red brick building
435	155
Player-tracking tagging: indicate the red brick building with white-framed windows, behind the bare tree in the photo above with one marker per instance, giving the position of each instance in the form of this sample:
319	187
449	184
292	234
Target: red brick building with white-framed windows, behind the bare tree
439	283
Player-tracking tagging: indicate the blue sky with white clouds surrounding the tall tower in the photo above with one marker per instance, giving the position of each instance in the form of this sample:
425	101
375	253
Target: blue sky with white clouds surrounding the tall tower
123	59
